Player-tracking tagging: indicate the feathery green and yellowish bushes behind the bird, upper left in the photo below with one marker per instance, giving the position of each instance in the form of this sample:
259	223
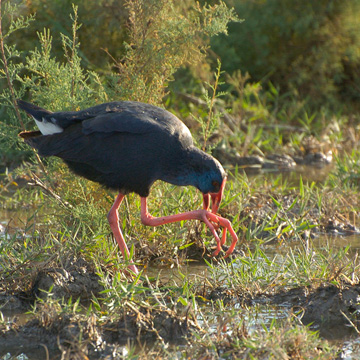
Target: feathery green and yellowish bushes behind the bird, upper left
161	37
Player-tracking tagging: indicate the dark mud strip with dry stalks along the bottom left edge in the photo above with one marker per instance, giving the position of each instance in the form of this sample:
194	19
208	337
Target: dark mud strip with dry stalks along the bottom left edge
81	337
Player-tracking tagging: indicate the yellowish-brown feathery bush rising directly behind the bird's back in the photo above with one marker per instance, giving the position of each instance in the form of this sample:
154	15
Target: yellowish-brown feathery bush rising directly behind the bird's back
161	41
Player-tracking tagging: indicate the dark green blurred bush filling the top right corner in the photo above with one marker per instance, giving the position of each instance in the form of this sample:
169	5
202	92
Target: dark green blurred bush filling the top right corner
307	47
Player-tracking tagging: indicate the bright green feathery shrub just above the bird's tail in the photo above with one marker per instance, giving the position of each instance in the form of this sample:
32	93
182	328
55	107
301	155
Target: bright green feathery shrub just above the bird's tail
65	86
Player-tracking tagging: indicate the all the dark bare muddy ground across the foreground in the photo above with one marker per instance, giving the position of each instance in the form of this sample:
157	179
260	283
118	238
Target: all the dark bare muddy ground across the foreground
327	308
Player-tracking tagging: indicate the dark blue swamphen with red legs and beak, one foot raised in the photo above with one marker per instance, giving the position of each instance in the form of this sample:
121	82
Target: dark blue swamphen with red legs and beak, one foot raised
127	146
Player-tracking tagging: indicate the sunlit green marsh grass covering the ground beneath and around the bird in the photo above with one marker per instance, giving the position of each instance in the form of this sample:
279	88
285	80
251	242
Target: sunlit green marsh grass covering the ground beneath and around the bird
271	217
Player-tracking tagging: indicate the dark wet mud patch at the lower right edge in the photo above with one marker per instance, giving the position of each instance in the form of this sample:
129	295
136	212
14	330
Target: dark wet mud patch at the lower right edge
333	311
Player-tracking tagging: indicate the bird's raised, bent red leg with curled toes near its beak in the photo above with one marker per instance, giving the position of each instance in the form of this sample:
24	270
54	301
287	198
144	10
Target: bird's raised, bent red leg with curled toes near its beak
203	215
